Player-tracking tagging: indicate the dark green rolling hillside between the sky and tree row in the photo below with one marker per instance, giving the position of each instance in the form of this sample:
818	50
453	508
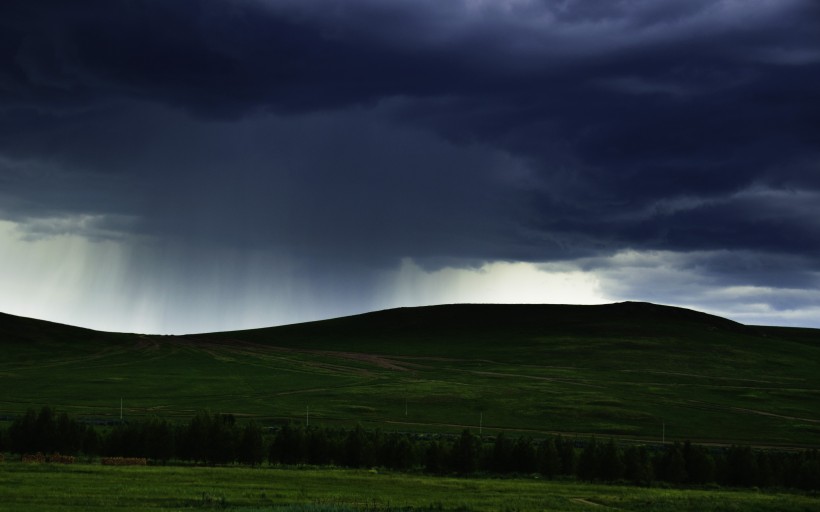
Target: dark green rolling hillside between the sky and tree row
630	370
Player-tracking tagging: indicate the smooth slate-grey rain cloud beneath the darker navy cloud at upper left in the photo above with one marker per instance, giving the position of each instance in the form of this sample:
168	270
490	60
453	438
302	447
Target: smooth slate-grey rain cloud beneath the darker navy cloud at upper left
319	186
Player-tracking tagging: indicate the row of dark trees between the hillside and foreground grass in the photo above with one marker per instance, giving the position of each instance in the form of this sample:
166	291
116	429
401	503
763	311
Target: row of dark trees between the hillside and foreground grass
218	439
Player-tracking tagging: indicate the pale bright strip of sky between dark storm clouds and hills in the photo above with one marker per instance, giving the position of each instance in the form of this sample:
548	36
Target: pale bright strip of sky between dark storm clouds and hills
137	286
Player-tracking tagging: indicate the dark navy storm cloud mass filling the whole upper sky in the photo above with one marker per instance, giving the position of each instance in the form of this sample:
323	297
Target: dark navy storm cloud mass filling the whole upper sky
672	125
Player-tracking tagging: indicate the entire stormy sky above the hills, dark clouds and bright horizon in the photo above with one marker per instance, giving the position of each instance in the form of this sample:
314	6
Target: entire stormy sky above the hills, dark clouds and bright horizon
181	166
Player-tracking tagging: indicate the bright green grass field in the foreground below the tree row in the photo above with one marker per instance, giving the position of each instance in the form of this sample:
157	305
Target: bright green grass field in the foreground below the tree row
46	487
